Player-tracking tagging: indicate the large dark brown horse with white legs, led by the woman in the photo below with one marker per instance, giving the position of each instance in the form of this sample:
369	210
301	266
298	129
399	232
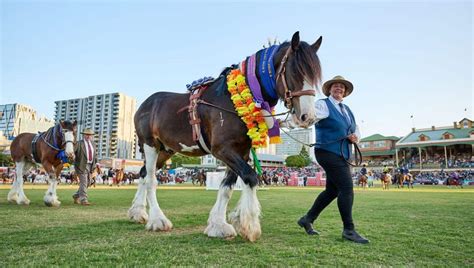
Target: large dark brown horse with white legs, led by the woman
163	131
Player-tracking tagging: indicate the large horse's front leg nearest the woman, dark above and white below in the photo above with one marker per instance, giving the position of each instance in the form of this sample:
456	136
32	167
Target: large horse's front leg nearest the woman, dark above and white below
246	216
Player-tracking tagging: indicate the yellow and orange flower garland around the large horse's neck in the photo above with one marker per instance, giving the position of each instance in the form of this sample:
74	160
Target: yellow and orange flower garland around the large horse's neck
247	110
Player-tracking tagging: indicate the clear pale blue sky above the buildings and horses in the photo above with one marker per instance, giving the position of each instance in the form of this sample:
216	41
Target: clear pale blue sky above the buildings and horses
404	57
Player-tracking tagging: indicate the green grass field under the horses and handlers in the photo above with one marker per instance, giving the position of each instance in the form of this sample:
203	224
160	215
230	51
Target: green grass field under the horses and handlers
430	226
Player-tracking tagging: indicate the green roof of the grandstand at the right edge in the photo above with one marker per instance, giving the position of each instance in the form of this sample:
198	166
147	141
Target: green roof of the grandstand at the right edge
461	136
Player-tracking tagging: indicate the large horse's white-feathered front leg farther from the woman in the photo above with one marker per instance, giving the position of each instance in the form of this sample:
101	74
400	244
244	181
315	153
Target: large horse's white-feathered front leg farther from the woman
217	225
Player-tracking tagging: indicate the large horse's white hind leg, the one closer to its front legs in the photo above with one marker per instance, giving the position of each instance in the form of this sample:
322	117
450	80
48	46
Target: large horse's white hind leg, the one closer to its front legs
156	220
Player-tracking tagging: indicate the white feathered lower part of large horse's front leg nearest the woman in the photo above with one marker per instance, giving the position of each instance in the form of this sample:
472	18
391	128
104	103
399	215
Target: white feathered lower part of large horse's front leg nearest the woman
246	216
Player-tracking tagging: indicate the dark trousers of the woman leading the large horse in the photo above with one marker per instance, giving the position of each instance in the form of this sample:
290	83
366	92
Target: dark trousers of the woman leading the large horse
338	184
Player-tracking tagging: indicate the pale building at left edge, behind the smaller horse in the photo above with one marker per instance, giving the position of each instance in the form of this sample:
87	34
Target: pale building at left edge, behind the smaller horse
18	118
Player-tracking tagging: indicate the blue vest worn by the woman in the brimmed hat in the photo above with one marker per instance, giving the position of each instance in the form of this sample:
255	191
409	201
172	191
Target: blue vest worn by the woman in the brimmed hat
330	131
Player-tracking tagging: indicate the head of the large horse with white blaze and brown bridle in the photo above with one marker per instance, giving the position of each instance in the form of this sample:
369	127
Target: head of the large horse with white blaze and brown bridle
299	73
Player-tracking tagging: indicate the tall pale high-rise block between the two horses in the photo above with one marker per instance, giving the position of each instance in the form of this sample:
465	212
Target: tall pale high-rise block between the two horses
111	118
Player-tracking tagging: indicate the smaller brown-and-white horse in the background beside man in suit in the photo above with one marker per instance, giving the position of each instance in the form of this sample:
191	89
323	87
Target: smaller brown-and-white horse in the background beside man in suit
50	145
